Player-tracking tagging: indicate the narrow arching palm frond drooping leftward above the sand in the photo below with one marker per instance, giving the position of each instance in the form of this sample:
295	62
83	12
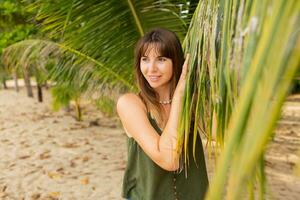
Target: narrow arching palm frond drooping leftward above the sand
68	63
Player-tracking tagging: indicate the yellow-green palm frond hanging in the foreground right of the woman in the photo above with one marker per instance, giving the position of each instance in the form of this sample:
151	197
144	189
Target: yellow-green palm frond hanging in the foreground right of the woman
244	56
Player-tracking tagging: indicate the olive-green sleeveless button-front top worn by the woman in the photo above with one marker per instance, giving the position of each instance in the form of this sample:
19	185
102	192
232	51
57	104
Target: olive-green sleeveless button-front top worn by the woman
145	180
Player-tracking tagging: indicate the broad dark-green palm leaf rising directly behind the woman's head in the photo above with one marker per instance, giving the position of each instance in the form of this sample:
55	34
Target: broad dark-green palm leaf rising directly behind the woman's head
106	32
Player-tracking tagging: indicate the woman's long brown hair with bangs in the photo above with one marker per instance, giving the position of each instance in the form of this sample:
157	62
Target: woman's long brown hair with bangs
168	45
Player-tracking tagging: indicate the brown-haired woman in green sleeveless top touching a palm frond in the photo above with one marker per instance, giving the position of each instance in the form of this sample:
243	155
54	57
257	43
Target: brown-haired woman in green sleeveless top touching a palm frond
151	118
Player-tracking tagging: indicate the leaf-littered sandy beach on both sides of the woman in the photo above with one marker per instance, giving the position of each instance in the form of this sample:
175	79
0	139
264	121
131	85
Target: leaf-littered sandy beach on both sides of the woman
50	155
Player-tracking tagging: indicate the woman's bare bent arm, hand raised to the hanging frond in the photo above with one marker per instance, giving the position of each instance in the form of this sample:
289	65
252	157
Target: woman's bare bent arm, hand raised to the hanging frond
160	148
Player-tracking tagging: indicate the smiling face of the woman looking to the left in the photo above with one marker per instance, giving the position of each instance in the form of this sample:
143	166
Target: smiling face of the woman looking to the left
157	70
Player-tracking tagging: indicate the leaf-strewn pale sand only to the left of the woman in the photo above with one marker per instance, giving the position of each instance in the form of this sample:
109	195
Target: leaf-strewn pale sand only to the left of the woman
48	155
